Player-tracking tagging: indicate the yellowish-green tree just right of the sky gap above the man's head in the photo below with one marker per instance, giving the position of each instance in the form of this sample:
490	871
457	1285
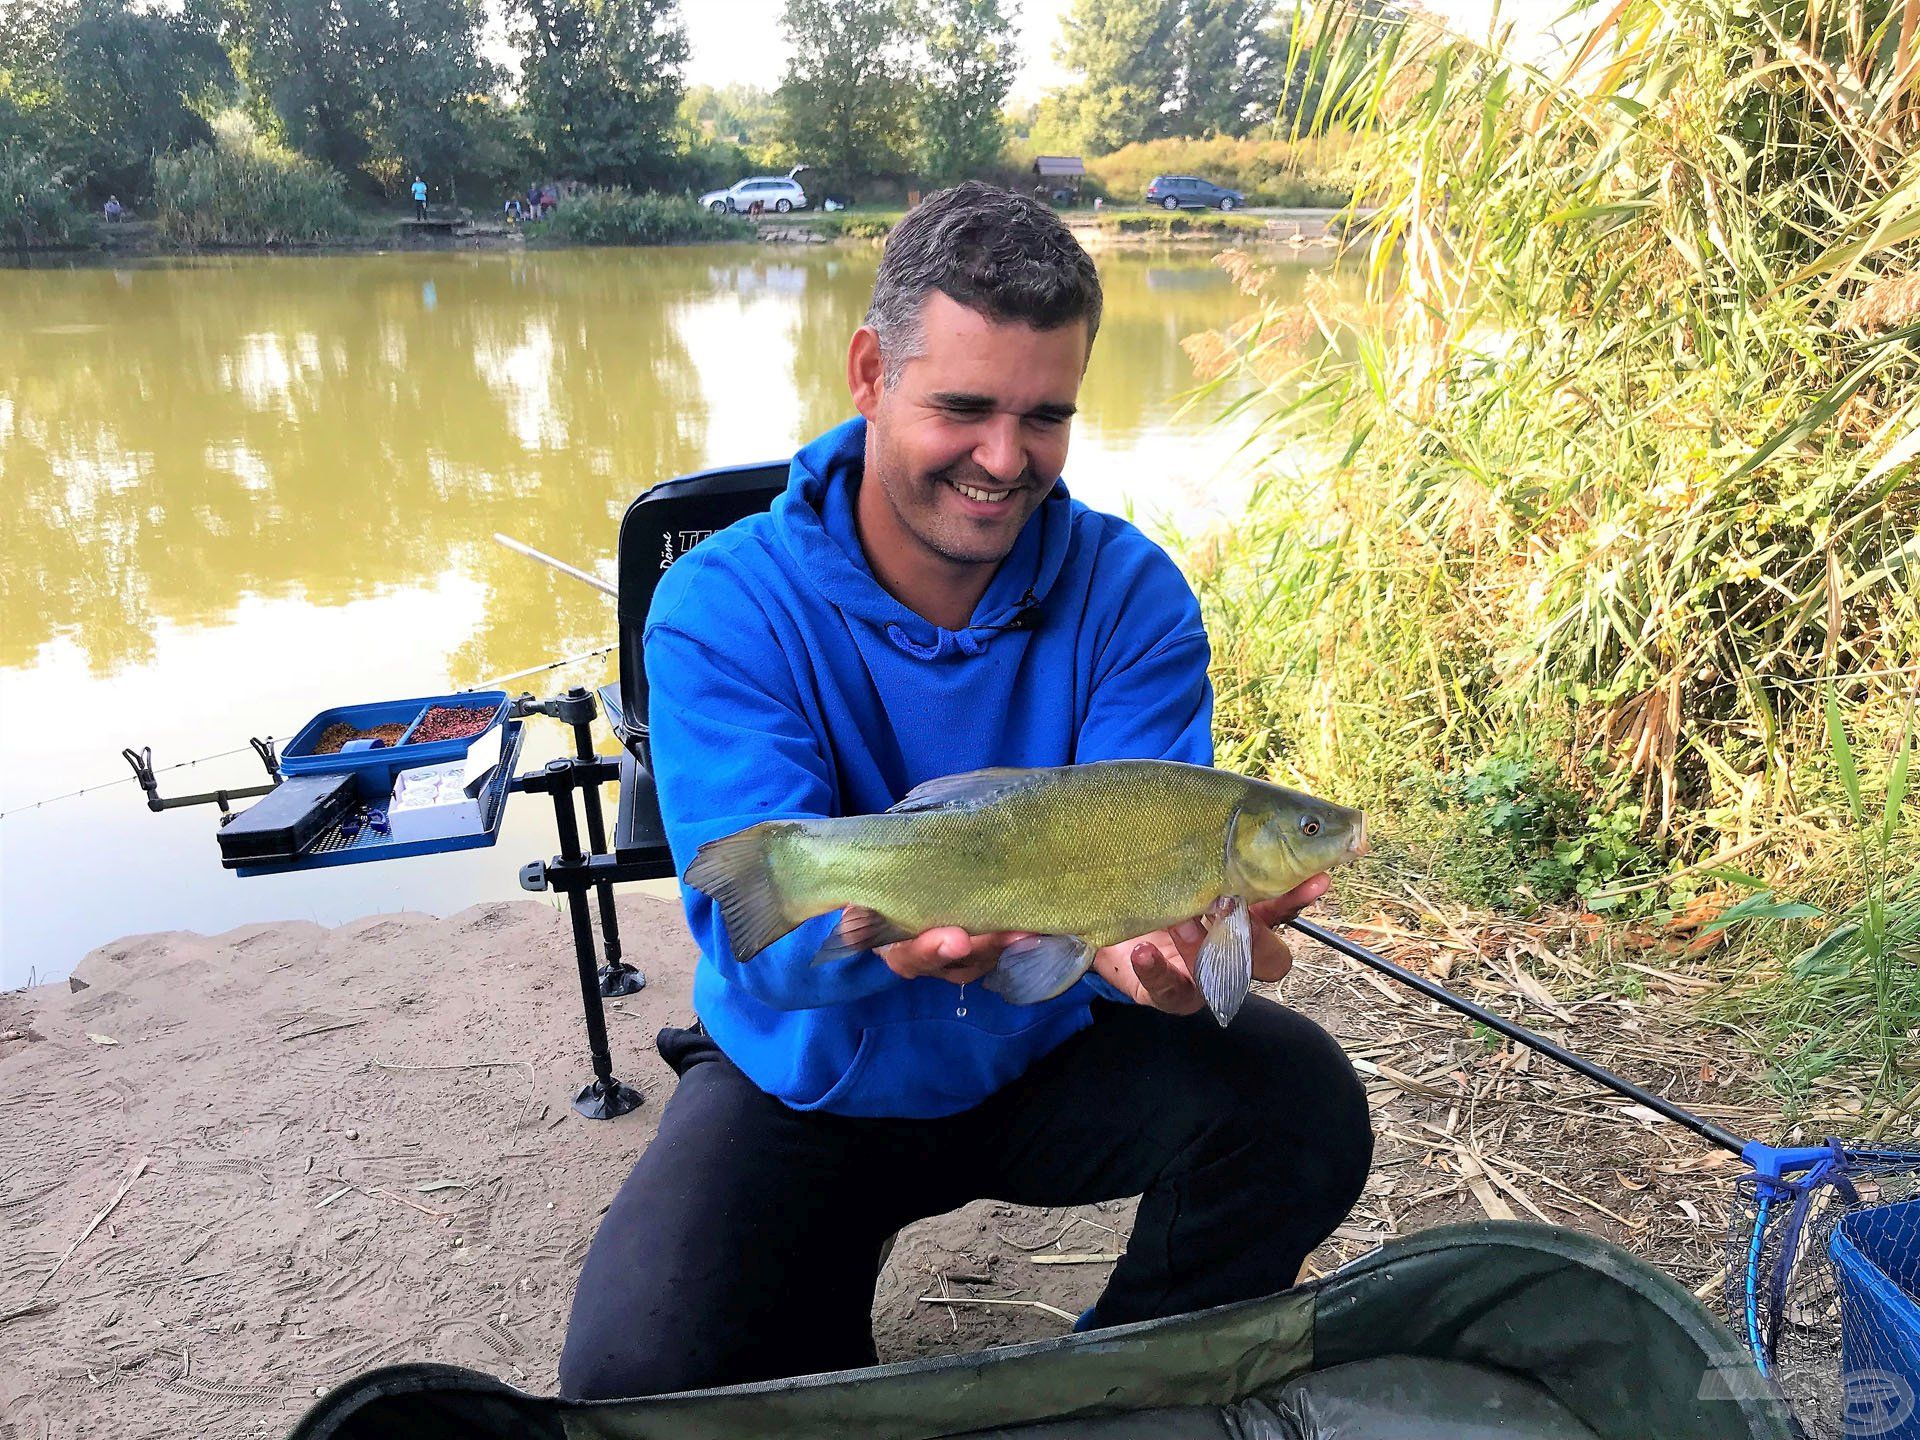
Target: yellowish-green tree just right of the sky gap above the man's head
1128	59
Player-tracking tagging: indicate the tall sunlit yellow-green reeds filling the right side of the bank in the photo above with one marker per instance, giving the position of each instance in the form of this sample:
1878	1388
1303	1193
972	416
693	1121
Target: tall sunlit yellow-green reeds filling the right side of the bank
1593	537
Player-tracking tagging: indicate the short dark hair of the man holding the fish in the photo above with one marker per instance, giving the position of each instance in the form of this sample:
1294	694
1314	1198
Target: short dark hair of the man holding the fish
1001	254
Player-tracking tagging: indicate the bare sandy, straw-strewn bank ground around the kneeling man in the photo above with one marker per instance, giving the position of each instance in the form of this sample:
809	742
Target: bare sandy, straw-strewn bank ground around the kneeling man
320	1151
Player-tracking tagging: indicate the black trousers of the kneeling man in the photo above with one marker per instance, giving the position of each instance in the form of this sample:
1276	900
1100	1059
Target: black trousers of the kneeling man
748	1241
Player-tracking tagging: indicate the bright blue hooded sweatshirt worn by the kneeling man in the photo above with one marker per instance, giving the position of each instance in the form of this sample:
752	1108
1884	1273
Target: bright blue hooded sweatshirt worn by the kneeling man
788	683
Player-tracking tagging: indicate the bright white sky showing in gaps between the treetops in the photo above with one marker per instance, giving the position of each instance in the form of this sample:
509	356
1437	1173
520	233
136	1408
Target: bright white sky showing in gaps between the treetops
738	41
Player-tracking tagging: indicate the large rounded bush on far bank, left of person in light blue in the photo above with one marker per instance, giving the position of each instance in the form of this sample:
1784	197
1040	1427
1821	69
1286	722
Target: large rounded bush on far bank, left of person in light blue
249	191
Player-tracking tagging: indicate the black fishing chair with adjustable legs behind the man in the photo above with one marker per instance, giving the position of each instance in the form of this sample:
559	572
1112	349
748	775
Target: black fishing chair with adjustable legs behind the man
663	525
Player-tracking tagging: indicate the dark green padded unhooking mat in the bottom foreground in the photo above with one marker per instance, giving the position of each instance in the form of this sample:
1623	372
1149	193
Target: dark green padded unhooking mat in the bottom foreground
1491	1332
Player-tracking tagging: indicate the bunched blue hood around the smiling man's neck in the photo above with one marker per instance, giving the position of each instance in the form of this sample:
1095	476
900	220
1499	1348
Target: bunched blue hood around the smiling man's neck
815	519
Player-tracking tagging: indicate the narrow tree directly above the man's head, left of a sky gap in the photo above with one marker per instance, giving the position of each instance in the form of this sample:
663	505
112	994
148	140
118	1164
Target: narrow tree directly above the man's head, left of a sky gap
969	68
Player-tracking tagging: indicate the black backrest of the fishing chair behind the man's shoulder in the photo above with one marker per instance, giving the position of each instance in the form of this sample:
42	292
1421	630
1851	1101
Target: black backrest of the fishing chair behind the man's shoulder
660	529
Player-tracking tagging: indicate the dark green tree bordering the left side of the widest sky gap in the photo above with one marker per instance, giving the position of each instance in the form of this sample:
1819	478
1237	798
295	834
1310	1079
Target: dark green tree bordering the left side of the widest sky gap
602	85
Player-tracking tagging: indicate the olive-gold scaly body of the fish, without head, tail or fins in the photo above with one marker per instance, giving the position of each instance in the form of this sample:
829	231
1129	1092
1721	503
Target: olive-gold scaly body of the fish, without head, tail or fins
1107	853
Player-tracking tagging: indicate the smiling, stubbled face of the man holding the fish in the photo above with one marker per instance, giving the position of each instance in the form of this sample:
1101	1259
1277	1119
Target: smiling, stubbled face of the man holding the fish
971	437
